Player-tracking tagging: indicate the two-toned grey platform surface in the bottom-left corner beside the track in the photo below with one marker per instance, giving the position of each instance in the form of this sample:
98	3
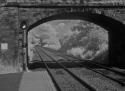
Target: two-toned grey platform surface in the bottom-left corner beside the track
27	81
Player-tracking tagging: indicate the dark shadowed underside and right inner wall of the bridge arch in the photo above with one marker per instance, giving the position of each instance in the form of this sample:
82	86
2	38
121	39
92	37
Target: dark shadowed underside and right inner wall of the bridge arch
116	32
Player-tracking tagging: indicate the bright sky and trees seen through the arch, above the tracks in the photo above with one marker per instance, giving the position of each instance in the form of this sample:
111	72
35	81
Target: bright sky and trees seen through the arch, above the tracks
77	38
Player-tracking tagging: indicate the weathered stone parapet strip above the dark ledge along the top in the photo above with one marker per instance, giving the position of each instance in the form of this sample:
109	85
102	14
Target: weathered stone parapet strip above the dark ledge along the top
66	2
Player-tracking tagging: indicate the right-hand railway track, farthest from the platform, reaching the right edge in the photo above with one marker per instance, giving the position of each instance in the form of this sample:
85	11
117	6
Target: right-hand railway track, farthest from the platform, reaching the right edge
98	65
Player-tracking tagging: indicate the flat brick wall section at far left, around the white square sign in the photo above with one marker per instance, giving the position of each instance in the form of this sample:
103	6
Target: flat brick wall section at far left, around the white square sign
8	34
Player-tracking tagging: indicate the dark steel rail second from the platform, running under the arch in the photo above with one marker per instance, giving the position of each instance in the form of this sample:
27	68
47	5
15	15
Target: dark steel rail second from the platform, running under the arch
72	74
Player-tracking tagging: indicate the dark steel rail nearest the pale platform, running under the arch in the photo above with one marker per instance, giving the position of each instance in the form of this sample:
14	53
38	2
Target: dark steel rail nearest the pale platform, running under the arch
47	68
